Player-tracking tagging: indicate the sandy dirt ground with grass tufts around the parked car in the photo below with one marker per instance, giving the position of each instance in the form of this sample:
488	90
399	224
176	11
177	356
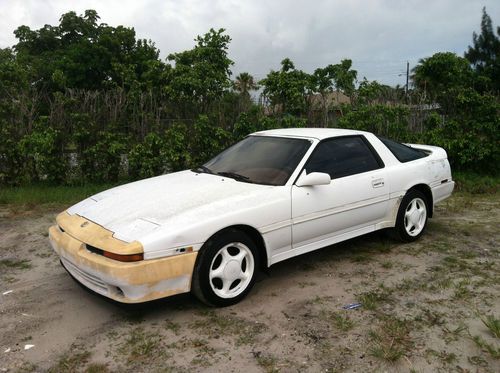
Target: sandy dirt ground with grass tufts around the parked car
433	305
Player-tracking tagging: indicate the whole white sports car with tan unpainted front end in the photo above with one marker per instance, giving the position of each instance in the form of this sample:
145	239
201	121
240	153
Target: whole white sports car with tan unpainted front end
272	196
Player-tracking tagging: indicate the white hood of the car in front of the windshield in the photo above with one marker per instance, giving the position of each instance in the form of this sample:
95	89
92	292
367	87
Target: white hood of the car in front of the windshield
134	210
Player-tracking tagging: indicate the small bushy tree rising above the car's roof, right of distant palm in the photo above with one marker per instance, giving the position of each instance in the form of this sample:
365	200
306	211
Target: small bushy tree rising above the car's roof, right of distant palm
288	89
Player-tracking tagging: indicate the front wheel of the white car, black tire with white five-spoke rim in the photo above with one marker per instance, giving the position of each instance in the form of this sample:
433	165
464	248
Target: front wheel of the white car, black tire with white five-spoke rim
214	292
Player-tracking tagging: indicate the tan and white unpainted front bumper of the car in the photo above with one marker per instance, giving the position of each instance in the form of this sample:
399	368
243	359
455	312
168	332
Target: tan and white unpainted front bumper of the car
133	282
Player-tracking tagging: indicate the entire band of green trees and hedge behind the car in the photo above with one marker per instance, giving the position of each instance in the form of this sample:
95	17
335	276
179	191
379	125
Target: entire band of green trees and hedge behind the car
85	102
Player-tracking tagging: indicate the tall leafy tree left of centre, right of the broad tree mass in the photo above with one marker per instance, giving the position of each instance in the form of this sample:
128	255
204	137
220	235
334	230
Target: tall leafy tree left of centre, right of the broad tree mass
202	74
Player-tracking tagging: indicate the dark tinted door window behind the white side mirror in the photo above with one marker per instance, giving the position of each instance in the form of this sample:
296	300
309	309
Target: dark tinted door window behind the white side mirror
343	156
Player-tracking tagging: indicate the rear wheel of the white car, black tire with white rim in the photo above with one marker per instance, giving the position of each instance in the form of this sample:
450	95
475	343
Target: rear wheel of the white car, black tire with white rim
409	229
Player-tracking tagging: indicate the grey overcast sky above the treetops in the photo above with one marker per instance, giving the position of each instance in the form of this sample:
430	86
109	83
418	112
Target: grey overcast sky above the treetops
379	36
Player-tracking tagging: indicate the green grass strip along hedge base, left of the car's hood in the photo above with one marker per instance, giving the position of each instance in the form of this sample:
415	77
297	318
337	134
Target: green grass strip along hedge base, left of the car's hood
44	194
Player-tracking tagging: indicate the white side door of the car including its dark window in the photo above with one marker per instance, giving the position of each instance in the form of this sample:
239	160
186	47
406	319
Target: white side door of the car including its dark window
354	201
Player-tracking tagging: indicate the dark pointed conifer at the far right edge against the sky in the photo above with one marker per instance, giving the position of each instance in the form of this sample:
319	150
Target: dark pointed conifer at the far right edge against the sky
484	54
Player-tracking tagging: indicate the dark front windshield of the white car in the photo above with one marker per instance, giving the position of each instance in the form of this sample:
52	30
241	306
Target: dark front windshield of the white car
259	159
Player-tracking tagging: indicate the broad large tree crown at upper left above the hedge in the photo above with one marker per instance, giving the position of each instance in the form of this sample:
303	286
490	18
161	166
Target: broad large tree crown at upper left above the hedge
80	53
